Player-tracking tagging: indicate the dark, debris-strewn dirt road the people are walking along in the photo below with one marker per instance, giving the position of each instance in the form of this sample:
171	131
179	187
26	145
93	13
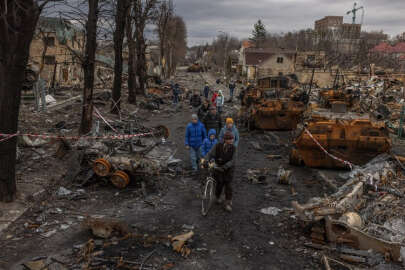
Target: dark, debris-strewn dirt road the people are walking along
243	239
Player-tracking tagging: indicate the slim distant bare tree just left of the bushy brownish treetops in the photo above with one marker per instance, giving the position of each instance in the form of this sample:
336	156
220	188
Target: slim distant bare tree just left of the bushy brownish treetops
165	12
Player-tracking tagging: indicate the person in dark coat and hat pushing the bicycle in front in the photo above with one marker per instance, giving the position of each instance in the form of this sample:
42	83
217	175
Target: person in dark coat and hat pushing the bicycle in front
224	155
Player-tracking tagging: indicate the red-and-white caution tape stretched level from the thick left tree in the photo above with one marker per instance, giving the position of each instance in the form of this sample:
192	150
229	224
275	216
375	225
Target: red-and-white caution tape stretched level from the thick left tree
45	136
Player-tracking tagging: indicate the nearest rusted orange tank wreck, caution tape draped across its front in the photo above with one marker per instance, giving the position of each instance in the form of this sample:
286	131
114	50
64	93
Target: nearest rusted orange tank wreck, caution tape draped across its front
357	141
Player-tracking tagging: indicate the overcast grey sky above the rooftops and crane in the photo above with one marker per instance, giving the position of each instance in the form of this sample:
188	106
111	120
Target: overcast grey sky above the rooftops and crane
205	18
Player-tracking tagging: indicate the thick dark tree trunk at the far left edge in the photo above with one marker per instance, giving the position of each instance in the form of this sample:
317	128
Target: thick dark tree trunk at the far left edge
18	19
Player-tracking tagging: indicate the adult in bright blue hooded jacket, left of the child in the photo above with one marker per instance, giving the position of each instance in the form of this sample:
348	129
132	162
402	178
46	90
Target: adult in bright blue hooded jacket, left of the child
195	135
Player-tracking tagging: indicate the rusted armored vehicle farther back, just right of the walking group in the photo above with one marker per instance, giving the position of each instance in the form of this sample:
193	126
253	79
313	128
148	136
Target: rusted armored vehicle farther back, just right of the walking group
273	105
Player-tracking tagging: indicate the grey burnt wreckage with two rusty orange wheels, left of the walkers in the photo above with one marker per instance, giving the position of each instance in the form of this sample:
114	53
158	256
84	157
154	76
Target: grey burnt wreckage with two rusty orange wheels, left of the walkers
134	159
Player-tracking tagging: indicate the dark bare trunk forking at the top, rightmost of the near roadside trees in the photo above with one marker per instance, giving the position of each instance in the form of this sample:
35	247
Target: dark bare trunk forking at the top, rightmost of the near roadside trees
144	11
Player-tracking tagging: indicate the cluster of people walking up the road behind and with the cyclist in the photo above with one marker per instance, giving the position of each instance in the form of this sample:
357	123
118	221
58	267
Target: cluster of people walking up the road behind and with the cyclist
208	138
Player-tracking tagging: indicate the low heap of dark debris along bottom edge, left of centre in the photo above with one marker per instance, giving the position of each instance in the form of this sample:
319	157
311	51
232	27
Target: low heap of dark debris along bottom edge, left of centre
115	247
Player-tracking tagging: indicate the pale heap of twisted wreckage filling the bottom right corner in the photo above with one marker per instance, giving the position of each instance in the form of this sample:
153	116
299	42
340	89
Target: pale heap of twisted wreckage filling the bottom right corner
366	213
